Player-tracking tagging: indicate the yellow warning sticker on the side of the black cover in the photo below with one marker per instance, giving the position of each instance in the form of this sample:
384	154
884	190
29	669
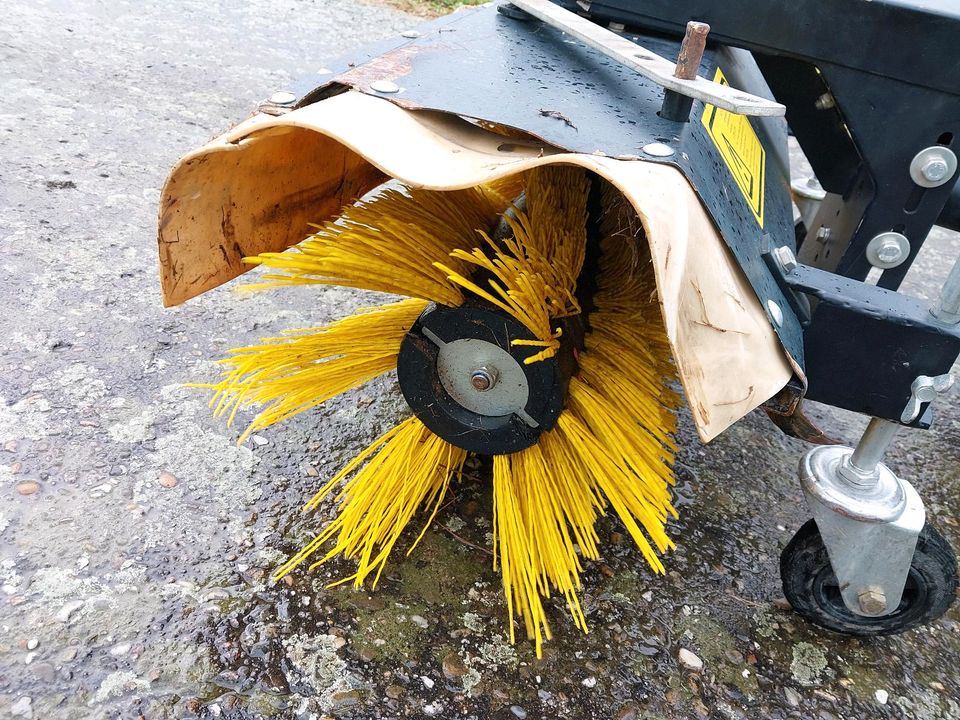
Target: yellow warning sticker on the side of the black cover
741	151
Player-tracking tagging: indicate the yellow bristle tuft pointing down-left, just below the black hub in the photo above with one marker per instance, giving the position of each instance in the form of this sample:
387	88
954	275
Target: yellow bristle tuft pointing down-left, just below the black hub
407	468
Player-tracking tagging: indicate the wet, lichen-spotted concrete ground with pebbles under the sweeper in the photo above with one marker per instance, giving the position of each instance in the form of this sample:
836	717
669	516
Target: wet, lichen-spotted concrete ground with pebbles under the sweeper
136	539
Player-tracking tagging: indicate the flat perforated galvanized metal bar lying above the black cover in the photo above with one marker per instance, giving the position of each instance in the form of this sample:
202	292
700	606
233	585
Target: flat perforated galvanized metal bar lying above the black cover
647	63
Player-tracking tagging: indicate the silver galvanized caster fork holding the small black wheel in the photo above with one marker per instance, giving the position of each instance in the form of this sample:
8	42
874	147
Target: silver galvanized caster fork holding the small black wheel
869	526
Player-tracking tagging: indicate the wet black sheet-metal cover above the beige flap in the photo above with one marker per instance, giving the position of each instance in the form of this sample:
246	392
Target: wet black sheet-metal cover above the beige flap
526	75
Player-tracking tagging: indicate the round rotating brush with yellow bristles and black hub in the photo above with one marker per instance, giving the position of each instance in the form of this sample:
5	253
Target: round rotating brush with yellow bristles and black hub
532	333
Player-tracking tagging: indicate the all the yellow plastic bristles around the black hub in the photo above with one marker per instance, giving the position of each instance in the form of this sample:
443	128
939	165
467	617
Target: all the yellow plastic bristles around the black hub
612	446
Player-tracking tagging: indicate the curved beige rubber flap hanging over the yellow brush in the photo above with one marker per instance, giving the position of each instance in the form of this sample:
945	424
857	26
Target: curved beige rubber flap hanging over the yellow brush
255	189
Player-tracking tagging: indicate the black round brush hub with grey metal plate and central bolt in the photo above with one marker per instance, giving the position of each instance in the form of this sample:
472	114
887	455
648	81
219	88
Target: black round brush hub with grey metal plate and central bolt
465	379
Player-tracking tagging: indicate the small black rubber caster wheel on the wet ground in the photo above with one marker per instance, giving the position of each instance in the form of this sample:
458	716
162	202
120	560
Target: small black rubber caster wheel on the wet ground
812	589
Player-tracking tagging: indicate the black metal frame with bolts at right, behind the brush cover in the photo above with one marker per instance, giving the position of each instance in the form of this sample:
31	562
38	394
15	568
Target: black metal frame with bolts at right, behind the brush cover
866	86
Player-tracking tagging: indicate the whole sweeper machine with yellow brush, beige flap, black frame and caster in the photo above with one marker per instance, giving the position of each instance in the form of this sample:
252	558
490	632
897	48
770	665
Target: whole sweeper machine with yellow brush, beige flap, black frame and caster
572	253
